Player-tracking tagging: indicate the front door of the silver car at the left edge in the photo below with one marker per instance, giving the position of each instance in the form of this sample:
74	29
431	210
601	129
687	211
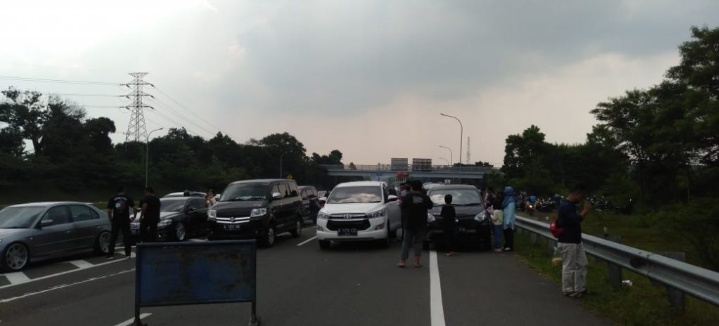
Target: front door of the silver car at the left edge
56	233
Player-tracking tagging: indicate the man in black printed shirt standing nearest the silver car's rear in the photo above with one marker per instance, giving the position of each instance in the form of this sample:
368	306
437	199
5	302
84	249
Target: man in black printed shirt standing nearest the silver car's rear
118	210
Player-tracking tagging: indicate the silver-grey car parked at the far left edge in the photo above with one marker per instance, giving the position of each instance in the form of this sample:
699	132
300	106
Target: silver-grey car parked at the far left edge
36	231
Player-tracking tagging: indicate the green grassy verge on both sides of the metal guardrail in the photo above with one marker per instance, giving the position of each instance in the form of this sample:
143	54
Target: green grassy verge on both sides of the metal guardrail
639	304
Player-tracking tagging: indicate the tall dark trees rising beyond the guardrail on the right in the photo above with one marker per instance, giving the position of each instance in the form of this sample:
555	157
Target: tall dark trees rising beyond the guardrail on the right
658	145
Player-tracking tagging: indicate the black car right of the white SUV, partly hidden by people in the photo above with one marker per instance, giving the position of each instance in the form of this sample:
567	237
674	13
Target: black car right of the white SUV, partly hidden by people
473	224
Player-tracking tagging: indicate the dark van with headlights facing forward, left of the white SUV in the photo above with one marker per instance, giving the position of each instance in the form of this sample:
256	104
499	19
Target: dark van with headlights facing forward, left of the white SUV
256	209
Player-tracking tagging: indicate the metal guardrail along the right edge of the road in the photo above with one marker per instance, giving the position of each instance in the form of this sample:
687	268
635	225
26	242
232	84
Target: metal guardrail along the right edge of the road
693	280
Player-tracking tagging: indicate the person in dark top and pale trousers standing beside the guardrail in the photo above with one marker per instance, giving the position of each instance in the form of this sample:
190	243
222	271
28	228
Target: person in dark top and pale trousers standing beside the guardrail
574	259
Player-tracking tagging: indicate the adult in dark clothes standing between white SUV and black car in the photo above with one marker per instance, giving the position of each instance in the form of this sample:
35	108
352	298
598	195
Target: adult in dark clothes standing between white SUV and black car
416	205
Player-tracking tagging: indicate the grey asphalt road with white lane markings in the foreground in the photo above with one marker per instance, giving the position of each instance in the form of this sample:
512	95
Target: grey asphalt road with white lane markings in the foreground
299	284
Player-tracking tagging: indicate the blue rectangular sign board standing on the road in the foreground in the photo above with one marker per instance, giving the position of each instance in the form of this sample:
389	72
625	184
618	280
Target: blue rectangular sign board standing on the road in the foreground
195	273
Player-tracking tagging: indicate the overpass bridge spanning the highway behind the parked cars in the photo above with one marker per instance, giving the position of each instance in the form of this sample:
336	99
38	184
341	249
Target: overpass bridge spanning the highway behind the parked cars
425	172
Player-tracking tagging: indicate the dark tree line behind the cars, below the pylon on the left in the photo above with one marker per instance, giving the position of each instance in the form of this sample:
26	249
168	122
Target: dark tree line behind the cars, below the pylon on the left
76	154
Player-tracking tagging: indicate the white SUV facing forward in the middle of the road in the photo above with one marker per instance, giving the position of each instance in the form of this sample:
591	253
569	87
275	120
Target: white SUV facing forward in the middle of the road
358	211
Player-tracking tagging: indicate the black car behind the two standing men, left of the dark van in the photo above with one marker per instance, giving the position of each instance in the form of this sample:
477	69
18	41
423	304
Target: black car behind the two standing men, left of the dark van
180	218
